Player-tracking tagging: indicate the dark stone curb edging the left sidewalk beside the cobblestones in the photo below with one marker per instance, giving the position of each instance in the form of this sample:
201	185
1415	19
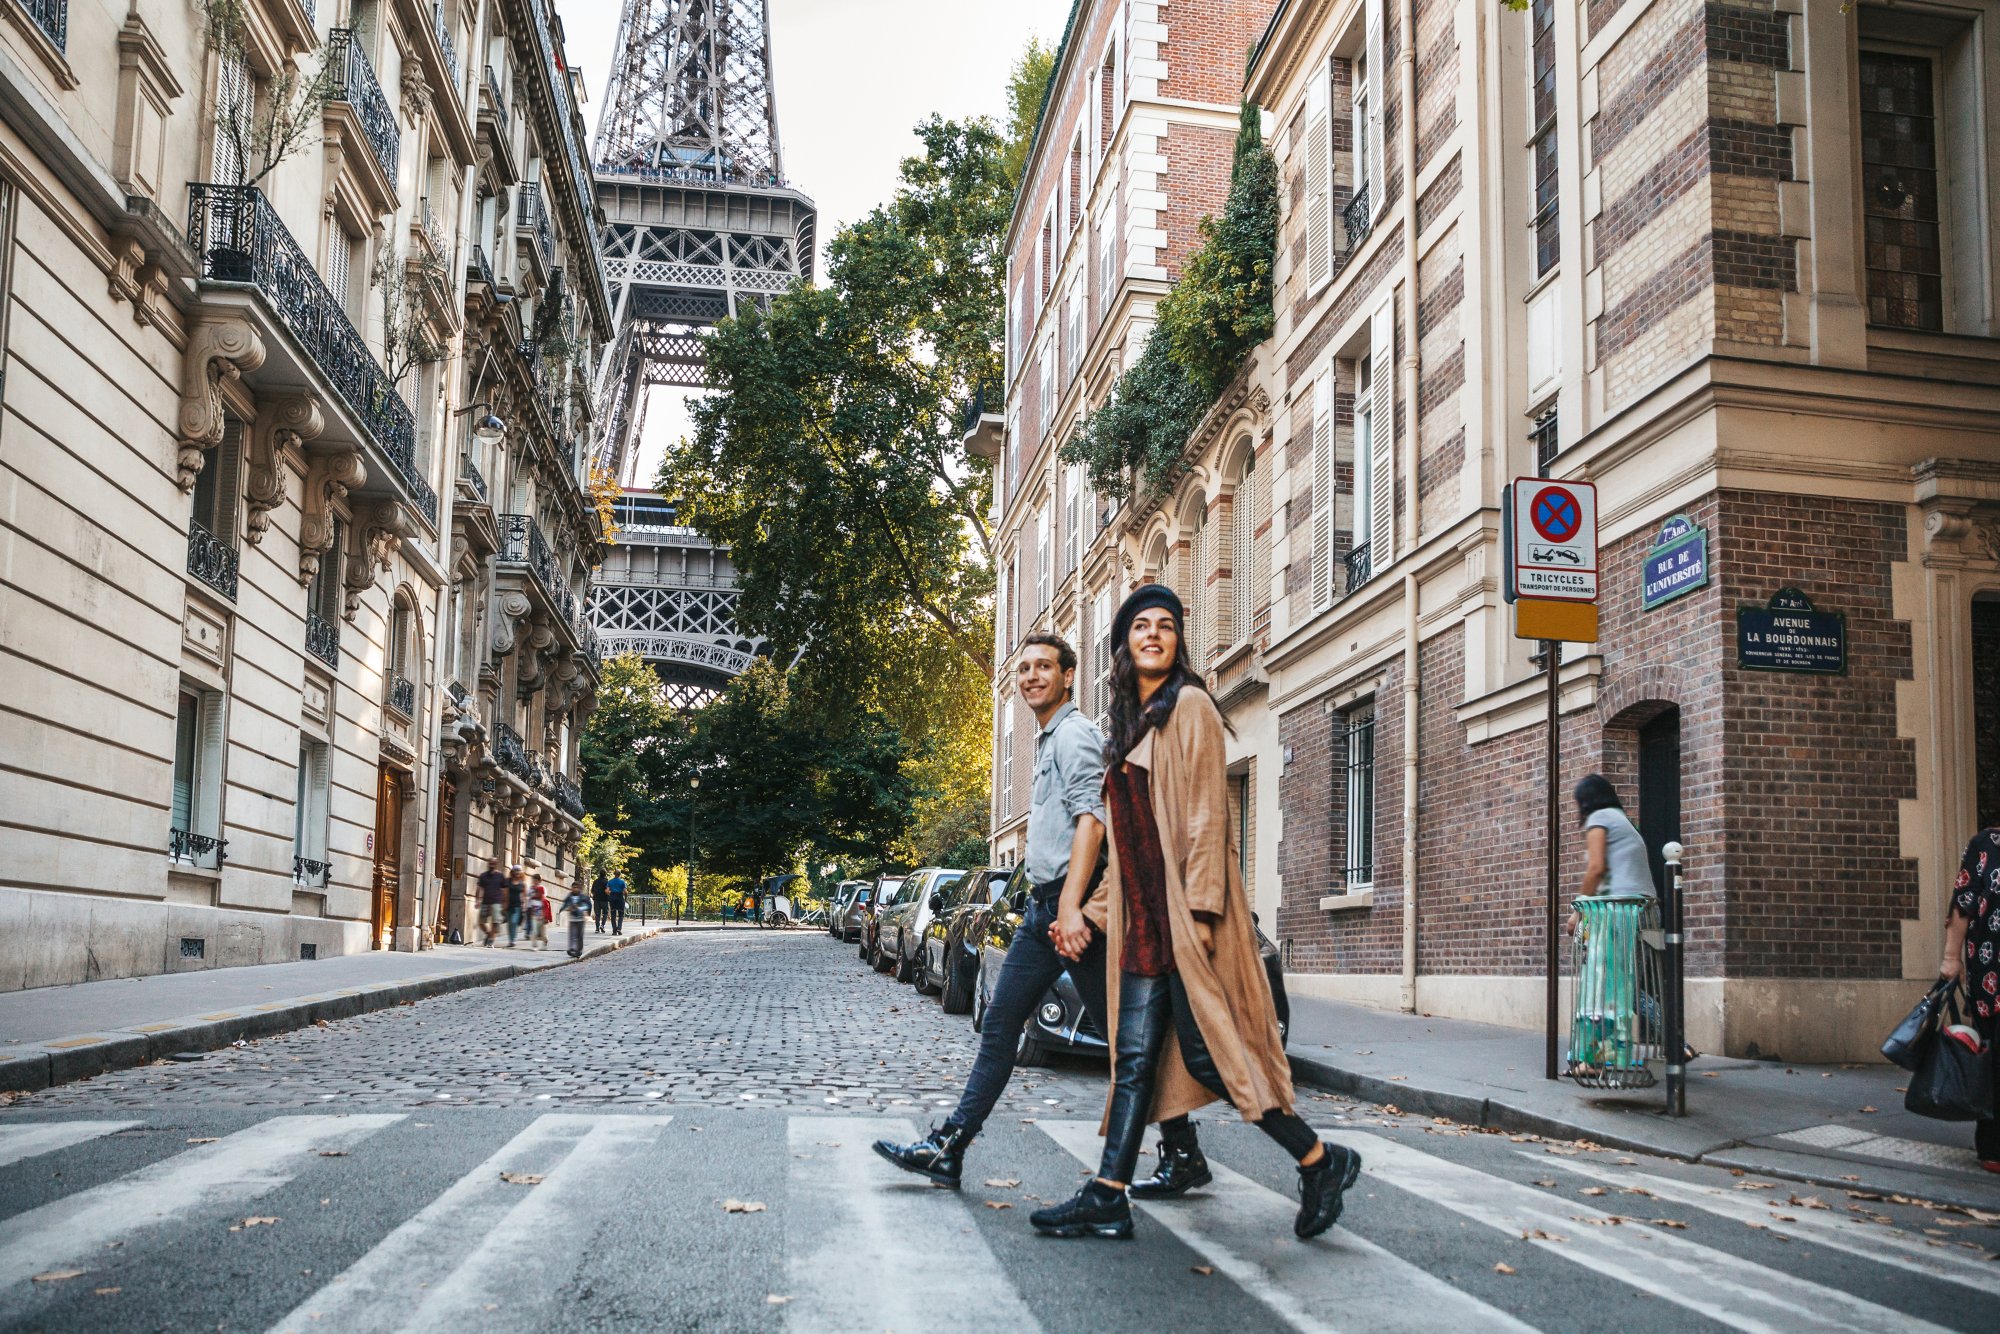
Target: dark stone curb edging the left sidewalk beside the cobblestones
85	1057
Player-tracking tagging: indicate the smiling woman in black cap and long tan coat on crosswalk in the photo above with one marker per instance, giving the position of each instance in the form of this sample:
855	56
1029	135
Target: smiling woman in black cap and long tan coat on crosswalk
1187	991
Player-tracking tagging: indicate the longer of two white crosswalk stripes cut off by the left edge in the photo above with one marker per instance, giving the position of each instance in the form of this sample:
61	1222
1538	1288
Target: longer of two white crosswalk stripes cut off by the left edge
203	1181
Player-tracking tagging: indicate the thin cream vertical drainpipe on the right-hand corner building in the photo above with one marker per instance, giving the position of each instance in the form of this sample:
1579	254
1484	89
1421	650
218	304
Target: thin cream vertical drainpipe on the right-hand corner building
1411	623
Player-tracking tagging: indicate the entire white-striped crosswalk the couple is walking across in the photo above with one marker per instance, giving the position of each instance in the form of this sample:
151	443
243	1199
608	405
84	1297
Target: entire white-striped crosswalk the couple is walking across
851	1245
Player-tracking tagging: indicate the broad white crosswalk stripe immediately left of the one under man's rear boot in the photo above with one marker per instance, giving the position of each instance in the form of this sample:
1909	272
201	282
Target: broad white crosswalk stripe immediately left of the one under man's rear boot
387	1289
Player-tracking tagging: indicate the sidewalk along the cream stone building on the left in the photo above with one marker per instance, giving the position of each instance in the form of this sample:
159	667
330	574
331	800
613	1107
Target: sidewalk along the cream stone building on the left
55	1035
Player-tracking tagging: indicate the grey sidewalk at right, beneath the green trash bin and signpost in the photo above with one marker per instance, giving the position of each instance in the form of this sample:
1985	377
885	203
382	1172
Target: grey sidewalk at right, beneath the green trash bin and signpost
1839	1127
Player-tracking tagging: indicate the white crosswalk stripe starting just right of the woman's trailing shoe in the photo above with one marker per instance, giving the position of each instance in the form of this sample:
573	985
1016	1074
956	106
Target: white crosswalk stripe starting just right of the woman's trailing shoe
1723	1287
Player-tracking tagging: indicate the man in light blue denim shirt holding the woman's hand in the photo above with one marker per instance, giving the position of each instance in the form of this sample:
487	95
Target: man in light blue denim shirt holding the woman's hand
1065	863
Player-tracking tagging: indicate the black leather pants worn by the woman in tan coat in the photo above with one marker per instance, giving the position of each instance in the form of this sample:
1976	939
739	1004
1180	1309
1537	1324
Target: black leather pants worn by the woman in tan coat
1147	1007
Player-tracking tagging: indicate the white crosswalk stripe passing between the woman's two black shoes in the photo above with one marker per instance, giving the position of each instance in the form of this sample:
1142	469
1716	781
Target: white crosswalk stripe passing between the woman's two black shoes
1335	1283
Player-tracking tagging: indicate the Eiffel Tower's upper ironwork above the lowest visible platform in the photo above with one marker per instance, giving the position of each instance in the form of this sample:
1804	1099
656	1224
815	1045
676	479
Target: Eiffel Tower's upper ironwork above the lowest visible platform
691	179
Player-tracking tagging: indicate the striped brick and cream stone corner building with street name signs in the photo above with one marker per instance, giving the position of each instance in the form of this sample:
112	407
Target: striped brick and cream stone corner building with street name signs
1729	263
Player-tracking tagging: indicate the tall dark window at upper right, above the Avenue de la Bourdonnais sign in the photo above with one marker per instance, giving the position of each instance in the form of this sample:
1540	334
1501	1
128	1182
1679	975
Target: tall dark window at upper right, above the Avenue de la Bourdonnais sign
1905	249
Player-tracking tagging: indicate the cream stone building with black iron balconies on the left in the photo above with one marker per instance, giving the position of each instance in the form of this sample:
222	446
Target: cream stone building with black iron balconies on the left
269	265
